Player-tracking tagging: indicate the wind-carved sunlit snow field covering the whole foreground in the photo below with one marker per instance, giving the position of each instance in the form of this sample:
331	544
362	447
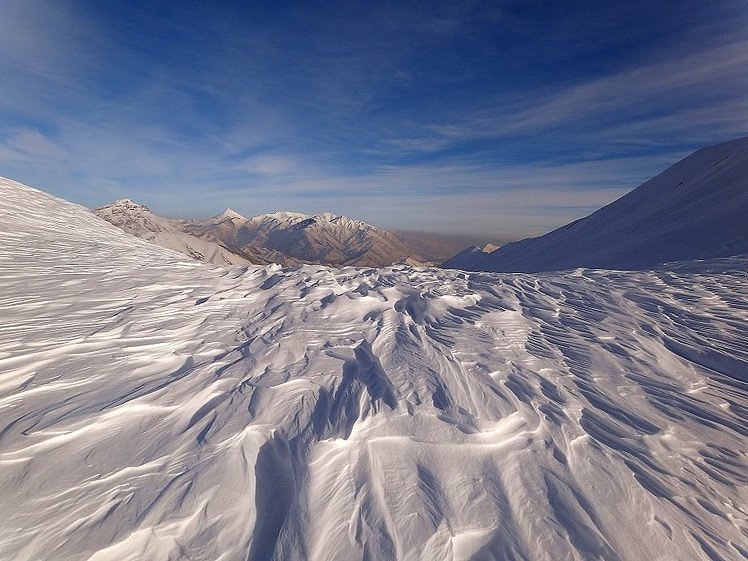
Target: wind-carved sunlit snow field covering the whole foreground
157	408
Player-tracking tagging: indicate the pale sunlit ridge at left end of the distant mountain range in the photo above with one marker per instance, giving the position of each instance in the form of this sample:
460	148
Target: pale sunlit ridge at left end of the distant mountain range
138	220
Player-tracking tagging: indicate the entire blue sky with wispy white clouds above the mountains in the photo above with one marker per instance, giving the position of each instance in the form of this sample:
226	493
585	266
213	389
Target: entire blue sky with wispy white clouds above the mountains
500	119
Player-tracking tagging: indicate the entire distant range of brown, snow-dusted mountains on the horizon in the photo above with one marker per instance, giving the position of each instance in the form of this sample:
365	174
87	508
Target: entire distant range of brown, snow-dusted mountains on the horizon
285	238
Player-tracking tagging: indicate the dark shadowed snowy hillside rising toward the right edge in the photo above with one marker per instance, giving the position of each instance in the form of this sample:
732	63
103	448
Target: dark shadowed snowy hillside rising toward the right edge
694	210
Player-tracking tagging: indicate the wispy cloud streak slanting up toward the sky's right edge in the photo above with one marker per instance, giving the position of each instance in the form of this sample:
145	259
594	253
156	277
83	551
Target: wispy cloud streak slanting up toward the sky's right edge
705	90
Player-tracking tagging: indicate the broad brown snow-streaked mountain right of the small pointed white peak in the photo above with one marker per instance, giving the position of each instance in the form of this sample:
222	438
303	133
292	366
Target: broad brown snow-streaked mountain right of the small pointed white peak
324	238
